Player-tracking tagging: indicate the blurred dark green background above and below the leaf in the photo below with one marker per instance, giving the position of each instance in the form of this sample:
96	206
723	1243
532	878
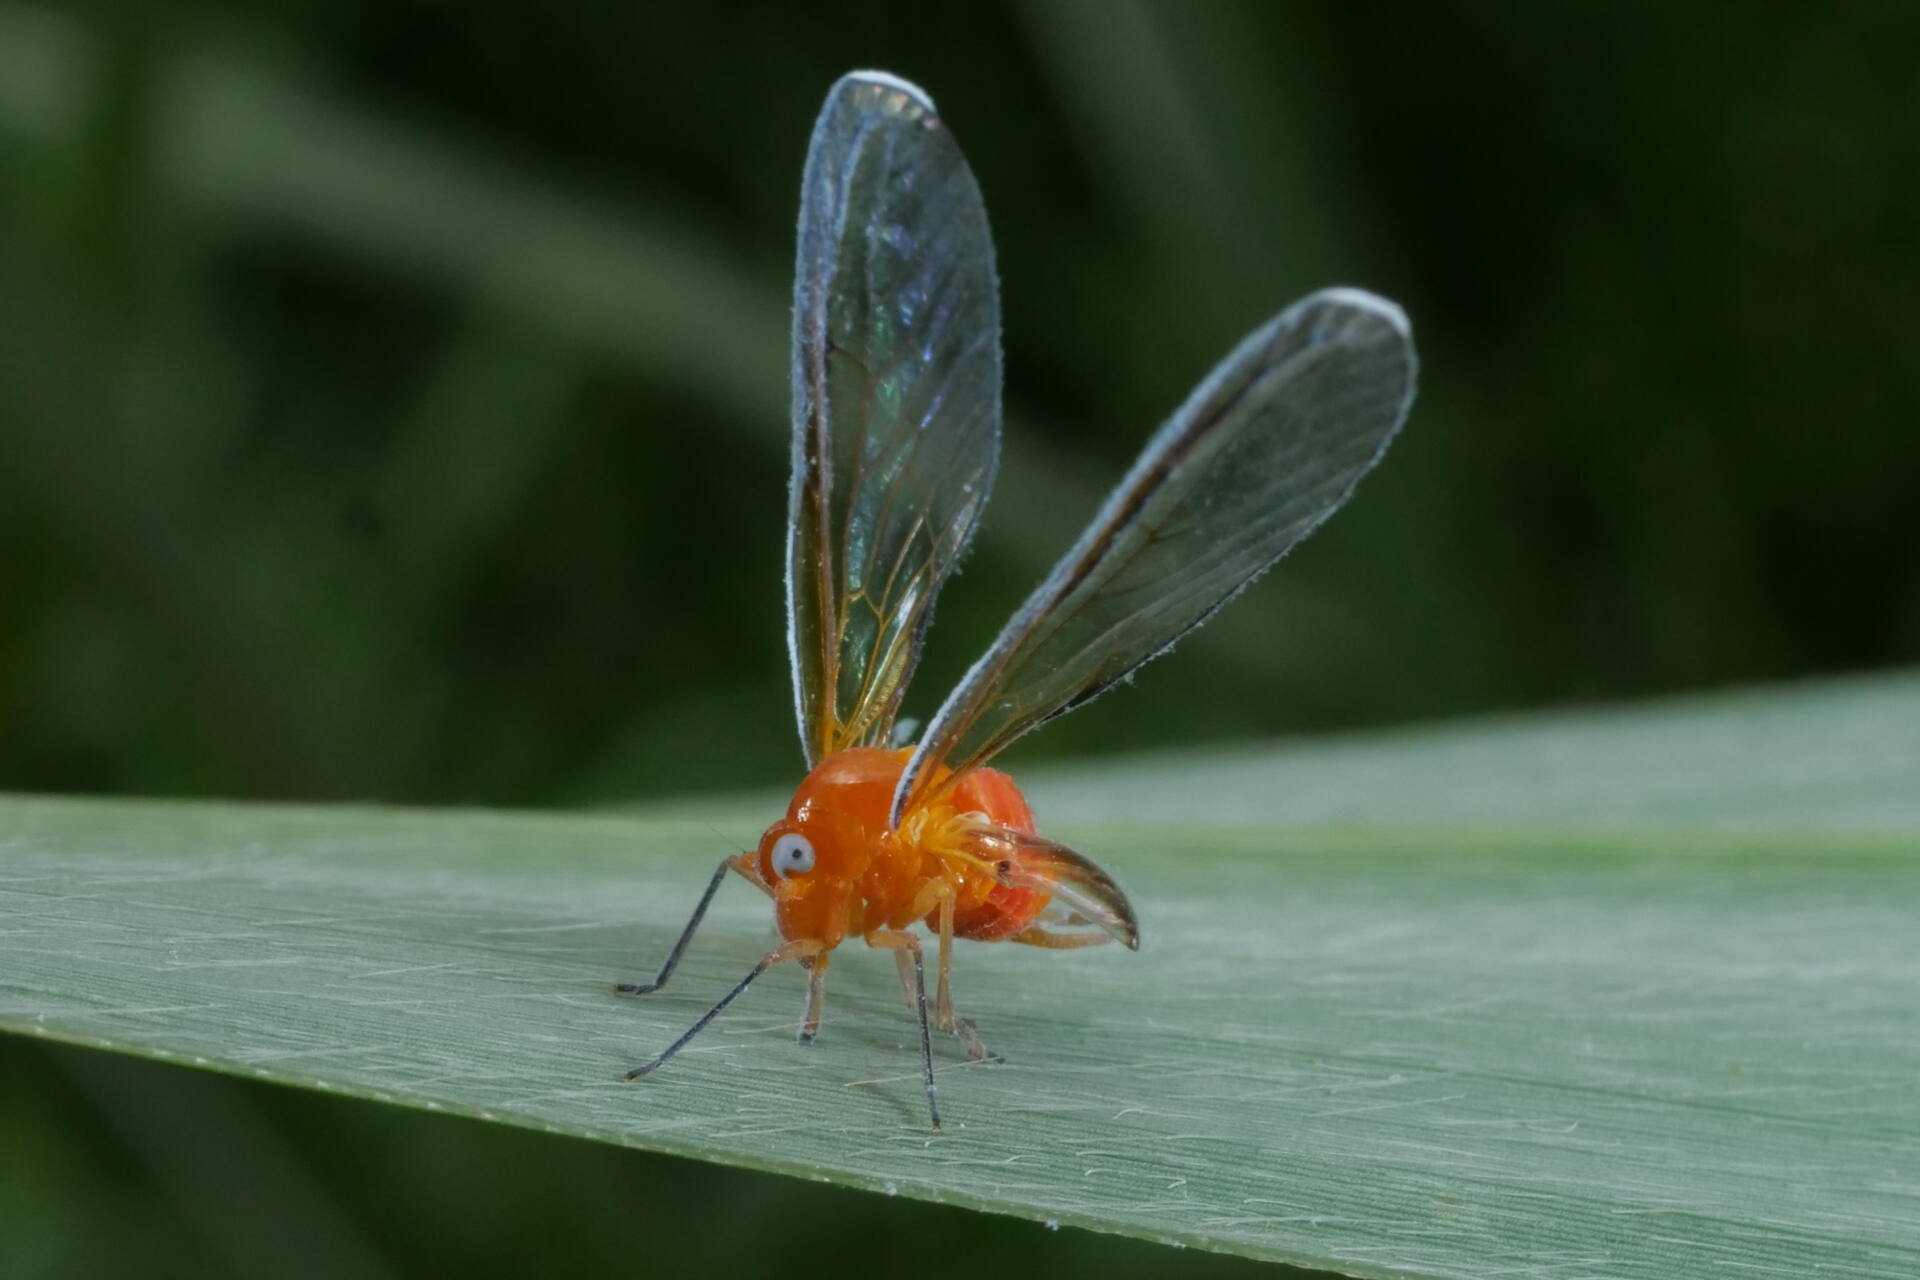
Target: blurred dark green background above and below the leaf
393	406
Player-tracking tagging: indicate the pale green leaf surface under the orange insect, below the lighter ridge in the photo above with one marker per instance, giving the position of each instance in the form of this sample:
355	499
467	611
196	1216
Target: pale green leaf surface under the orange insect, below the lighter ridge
1378	1053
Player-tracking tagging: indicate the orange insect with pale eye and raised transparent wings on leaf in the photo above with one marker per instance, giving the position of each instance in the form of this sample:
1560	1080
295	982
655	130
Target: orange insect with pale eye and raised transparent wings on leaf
896	440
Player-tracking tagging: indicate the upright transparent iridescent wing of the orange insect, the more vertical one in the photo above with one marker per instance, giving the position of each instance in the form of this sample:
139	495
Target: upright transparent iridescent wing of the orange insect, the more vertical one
896	402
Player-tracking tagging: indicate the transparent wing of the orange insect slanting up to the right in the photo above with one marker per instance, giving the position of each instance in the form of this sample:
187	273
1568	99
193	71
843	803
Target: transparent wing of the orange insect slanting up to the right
1264	450
